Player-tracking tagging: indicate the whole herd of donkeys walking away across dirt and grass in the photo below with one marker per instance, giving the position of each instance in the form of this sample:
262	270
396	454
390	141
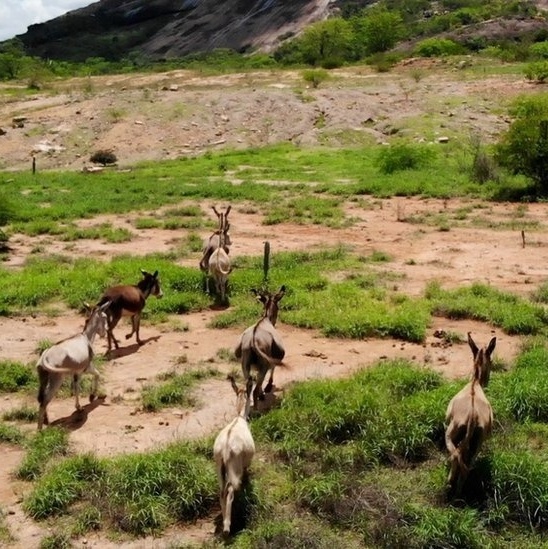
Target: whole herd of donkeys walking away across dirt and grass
469	415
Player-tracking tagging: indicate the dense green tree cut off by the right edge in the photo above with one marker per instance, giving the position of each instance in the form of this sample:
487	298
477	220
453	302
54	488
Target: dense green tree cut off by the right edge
524	147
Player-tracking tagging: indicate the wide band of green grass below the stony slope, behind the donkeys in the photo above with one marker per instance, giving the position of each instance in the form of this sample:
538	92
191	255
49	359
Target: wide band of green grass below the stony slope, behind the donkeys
301	177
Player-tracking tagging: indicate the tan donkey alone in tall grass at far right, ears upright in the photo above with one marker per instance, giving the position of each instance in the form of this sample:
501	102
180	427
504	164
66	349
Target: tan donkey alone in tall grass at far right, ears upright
469	417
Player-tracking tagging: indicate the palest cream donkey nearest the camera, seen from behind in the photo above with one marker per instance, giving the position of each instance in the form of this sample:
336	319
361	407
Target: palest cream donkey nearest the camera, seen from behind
233	451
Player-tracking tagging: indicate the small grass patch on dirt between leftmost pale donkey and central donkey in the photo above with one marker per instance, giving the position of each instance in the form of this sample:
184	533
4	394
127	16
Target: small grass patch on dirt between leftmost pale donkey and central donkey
176	390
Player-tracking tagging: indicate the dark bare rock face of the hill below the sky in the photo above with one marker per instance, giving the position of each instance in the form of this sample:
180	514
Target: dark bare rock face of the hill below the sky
172	28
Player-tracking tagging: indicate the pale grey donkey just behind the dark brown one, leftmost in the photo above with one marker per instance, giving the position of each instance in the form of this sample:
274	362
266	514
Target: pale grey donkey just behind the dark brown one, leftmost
70	356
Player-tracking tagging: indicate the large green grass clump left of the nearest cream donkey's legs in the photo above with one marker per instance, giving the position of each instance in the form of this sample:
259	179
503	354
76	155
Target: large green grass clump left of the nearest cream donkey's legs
137	493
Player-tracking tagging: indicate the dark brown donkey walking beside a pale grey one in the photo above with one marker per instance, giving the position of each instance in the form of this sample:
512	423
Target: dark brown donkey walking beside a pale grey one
129	301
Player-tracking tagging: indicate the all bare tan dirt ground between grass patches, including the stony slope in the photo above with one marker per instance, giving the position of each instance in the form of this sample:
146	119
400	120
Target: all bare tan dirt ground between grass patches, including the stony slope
258	109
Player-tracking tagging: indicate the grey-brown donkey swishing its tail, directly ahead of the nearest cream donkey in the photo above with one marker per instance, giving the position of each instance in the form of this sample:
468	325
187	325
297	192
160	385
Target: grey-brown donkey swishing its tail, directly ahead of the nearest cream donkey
261	346
